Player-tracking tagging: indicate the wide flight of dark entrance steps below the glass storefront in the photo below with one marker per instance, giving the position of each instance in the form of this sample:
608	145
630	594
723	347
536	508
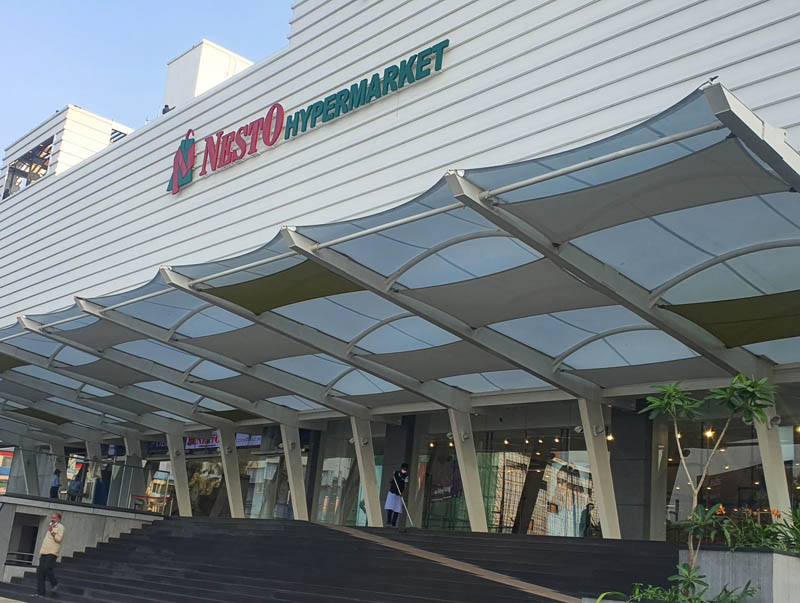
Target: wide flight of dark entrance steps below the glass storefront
250	561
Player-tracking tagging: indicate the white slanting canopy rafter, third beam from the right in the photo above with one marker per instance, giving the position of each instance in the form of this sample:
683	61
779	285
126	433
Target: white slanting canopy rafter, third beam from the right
494	342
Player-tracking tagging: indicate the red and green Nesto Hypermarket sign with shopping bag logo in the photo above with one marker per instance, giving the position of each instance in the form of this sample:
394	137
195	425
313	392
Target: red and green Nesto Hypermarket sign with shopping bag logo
224	148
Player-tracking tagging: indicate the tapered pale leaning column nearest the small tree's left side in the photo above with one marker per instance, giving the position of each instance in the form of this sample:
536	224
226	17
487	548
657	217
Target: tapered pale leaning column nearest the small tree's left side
594	432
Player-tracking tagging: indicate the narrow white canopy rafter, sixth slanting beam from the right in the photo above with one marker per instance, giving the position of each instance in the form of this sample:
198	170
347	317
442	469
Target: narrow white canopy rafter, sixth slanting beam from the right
268	410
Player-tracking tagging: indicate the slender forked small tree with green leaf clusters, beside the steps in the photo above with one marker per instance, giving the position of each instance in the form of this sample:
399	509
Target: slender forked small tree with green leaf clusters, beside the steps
744	398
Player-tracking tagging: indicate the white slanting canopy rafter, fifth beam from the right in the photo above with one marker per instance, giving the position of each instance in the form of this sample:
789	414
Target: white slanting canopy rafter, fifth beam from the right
262	372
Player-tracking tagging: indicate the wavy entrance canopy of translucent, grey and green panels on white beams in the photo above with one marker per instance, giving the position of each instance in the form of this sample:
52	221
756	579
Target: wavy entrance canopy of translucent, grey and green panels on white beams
667	252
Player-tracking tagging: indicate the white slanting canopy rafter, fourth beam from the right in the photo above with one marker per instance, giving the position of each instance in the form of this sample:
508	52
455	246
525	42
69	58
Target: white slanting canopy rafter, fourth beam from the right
436	391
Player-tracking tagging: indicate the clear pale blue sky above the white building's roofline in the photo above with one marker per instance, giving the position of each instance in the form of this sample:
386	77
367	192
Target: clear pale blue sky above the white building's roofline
110	57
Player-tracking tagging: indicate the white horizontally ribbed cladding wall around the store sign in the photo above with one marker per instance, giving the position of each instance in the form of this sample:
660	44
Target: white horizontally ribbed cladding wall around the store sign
520	78
